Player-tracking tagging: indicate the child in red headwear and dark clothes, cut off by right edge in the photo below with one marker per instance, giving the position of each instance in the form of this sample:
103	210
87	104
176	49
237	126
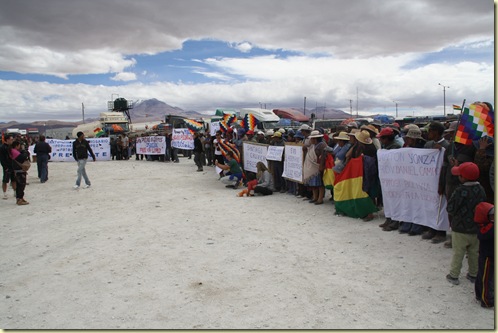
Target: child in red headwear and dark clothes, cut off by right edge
484	287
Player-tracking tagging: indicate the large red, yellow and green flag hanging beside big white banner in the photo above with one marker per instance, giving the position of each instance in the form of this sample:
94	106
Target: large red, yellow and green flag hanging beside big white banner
349	197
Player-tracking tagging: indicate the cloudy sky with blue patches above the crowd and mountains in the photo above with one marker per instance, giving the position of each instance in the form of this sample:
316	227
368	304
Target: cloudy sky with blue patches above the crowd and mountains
205	54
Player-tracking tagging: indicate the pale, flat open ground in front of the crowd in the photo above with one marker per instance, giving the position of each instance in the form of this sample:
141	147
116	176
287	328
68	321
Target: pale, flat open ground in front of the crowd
158	245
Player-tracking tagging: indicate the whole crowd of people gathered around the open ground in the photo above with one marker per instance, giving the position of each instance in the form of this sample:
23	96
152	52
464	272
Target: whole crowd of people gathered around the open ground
466	177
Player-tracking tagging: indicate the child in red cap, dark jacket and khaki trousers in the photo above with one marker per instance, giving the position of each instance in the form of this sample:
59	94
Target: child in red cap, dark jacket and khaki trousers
461	207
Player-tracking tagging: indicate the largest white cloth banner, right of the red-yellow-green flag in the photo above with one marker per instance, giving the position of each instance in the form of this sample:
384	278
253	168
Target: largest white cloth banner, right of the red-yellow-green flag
409	179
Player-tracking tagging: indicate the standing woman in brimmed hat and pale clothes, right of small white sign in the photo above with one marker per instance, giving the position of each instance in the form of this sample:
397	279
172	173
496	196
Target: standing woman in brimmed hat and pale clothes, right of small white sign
312	173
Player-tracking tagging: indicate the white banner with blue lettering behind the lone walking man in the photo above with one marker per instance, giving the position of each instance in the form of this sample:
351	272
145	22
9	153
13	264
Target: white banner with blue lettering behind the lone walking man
62	150
